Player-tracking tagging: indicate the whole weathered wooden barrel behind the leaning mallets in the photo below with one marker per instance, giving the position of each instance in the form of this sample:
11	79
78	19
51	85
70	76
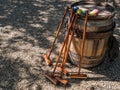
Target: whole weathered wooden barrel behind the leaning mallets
99	29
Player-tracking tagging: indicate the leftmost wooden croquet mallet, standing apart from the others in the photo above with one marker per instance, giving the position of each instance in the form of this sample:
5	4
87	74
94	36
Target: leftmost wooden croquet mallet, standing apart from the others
47	56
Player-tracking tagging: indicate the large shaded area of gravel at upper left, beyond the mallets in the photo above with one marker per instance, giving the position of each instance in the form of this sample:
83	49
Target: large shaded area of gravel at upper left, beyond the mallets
39	19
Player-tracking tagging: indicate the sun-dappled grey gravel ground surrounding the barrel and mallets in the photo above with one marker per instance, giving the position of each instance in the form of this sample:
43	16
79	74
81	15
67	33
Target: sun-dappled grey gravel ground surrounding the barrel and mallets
27	29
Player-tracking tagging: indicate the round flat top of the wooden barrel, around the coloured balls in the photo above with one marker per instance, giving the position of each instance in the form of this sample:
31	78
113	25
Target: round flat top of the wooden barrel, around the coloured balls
106	11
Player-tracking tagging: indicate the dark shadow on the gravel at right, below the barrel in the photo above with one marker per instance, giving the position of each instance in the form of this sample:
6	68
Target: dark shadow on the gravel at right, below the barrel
108	69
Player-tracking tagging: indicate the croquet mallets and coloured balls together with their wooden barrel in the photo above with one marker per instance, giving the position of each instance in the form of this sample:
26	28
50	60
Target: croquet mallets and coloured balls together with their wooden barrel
89	28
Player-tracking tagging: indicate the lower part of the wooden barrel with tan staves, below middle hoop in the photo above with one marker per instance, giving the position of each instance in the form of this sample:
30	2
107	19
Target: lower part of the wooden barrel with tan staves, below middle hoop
94	49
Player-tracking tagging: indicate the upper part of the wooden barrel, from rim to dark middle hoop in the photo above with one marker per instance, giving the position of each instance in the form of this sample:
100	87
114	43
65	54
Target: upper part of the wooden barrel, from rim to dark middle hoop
102	22
